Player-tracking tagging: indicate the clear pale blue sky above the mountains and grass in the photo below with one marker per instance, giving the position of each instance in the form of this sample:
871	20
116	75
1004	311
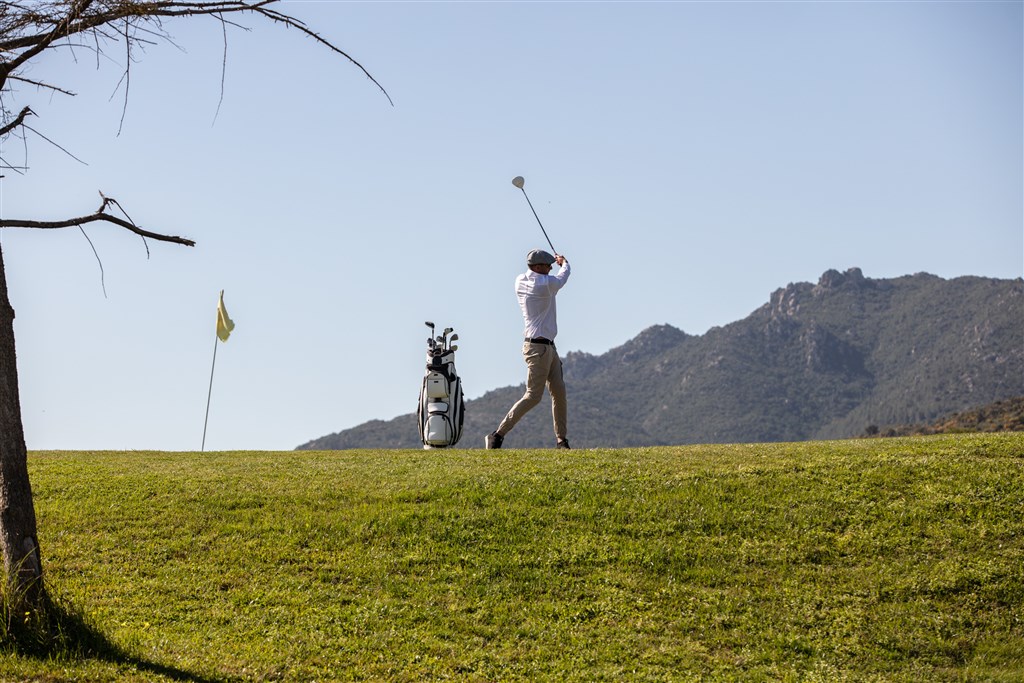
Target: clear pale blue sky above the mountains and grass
688	158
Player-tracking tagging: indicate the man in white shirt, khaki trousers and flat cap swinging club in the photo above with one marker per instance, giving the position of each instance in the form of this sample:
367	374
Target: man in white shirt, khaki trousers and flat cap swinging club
536	290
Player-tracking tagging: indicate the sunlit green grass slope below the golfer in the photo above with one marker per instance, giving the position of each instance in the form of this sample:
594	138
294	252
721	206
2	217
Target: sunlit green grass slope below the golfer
862	561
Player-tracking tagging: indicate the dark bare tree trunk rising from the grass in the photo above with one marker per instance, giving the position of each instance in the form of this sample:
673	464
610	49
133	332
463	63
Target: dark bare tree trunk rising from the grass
18	516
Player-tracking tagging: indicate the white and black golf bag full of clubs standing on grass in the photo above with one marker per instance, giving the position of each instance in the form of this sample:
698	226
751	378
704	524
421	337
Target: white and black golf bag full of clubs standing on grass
442	406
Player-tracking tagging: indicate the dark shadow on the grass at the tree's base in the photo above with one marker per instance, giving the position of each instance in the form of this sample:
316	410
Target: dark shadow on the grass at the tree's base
57	630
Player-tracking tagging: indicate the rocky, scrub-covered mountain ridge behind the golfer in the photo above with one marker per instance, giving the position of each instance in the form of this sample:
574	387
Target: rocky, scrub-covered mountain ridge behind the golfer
817	361
